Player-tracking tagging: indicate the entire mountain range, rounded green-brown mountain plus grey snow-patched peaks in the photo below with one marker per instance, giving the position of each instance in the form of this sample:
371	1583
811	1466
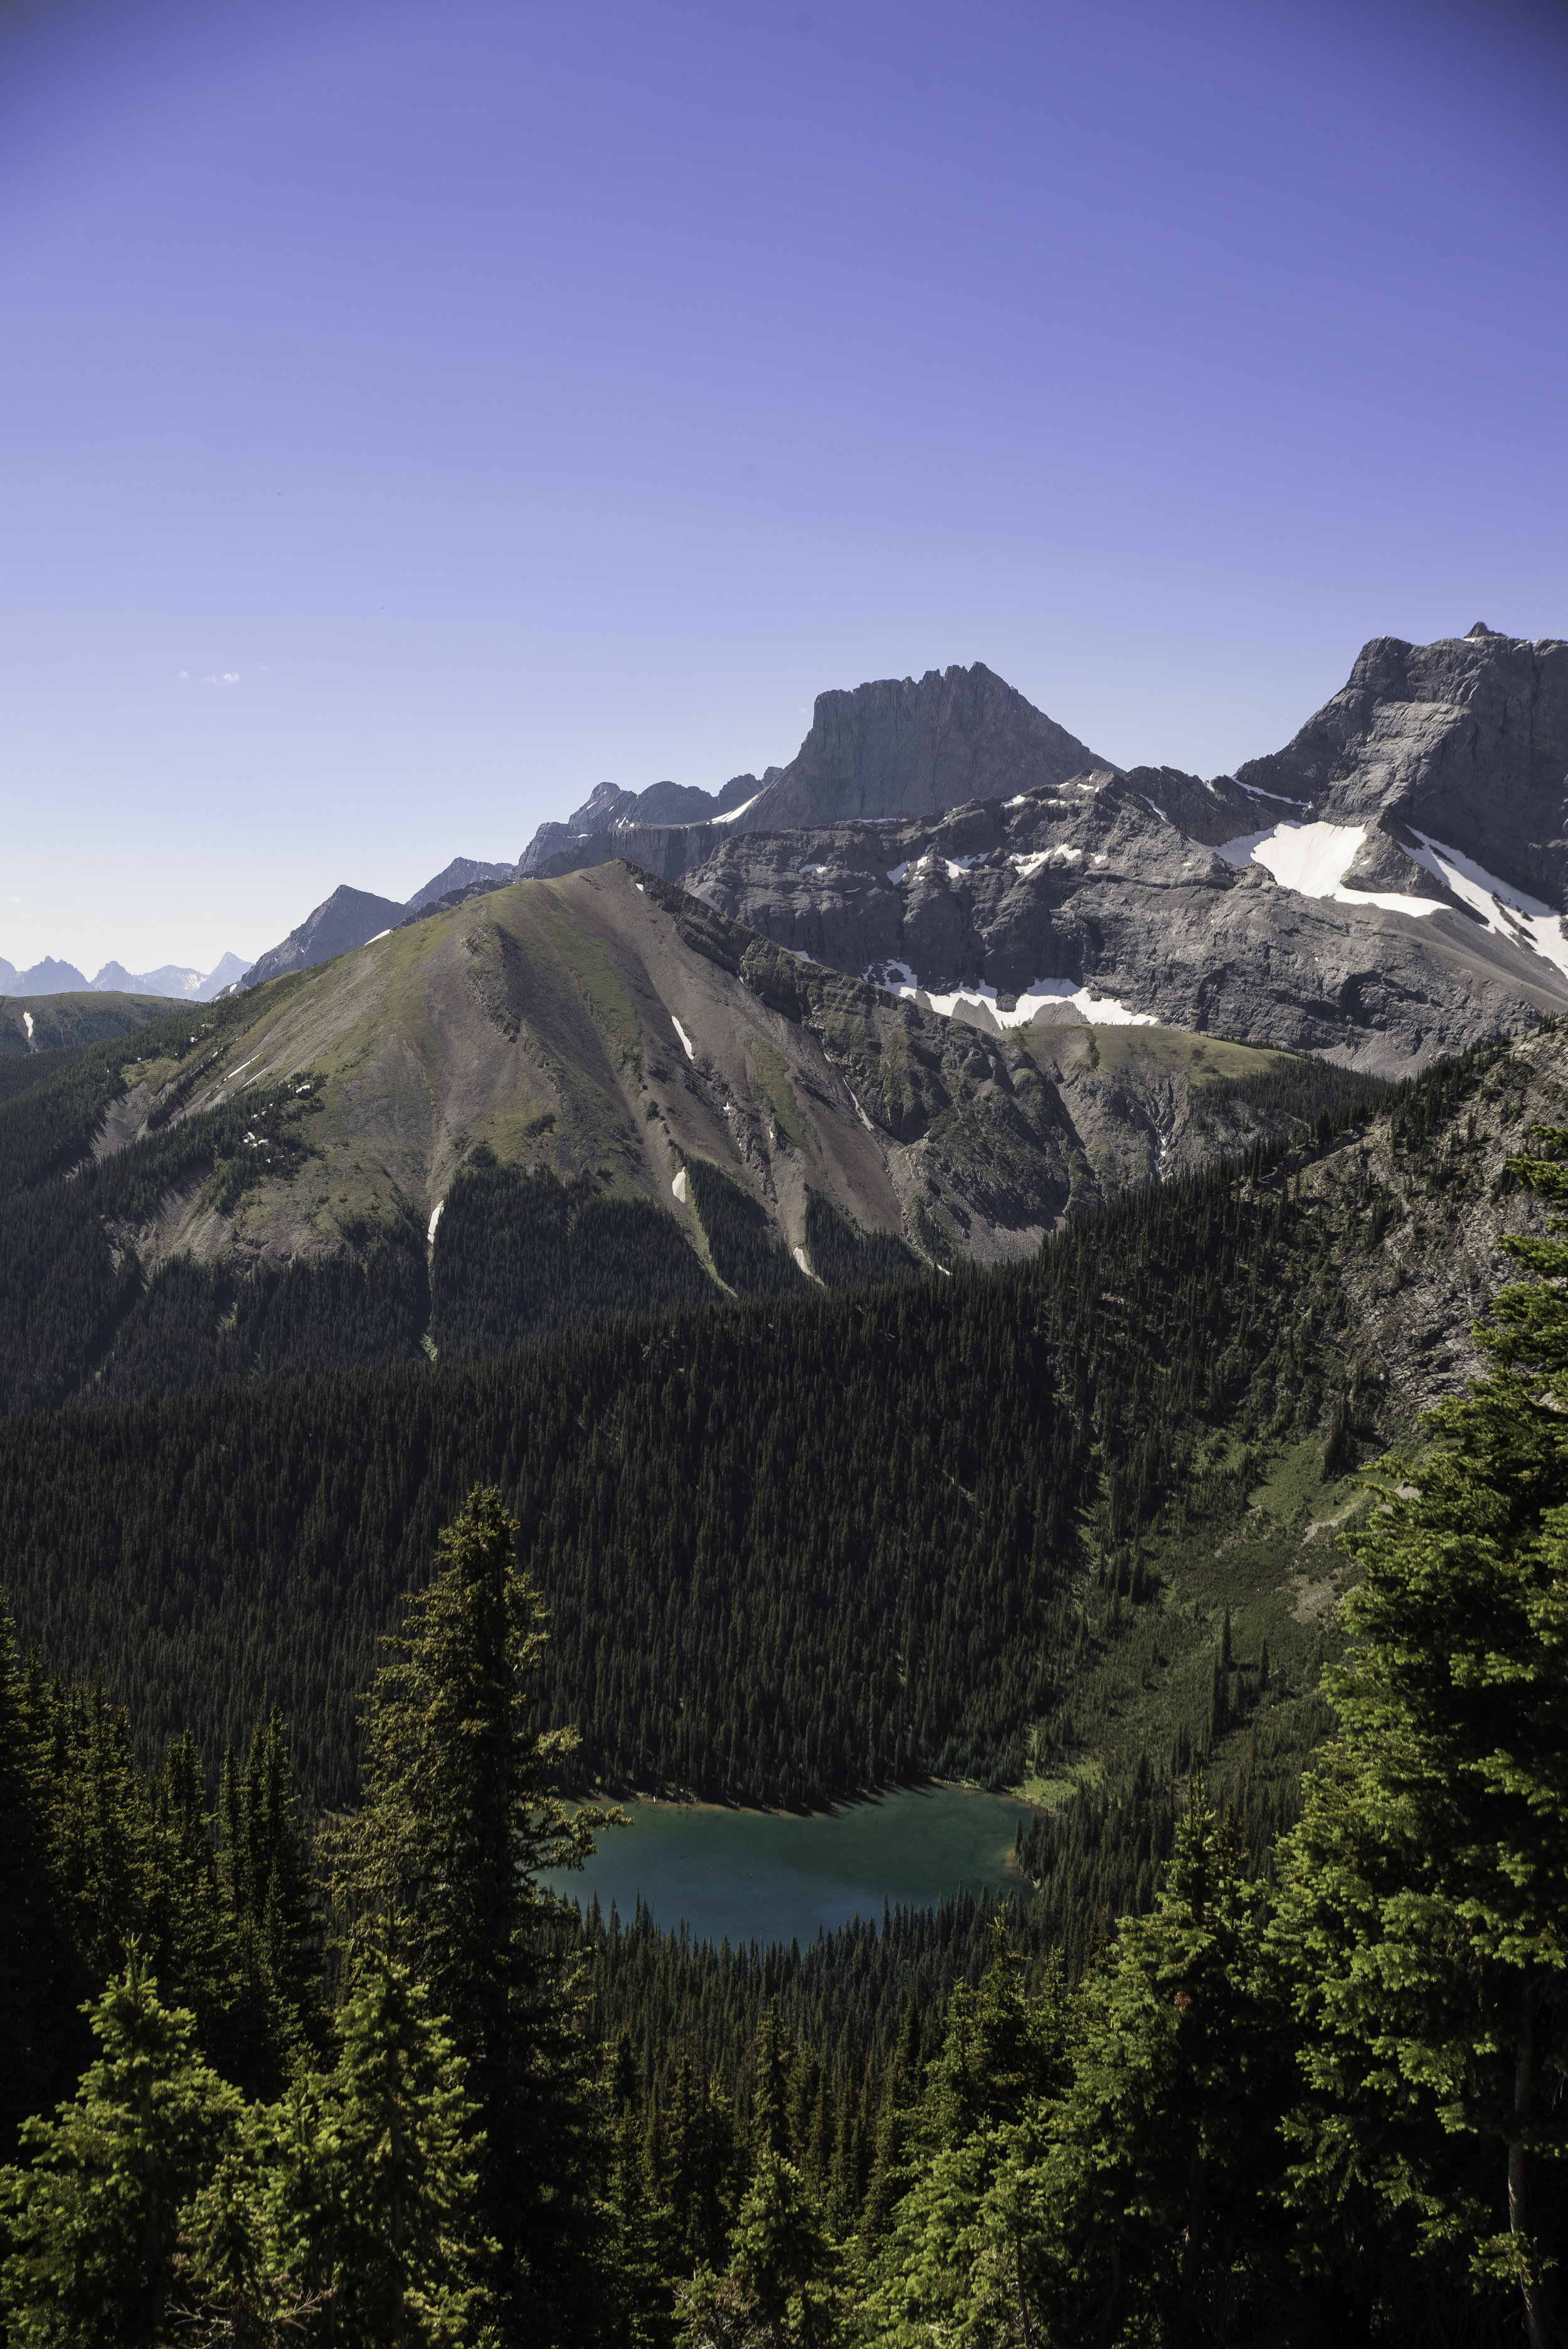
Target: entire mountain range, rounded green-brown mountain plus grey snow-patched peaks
712	1044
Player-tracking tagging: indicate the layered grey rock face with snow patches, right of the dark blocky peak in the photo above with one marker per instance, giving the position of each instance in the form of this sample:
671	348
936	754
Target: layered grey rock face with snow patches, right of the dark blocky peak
1381	891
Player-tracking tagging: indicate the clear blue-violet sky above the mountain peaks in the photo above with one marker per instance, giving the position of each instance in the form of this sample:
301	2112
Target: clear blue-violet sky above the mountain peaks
494	398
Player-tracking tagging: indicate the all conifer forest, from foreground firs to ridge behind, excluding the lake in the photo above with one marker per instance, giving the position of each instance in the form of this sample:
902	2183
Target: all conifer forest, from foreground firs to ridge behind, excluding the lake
1245	2057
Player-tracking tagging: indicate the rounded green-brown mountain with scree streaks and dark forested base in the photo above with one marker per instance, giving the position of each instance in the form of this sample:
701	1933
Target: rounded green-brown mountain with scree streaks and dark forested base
541	1108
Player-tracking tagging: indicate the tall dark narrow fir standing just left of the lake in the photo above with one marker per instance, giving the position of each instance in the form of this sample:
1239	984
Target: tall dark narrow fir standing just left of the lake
447	1852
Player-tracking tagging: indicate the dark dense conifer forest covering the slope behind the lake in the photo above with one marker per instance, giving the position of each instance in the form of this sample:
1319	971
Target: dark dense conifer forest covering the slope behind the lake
790	1549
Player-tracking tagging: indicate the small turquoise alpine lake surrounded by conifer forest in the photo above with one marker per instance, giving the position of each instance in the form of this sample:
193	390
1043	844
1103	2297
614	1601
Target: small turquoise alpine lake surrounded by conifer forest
769	1876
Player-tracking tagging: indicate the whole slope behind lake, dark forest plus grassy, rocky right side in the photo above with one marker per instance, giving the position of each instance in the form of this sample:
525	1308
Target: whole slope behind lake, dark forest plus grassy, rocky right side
985	1526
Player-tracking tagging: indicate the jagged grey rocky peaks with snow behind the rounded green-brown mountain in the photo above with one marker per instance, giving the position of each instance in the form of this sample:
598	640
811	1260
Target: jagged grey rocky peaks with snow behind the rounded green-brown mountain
1384	889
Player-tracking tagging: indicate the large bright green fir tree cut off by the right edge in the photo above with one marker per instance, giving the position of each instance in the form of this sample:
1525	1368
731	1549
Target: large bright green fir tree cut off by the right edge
1426	1890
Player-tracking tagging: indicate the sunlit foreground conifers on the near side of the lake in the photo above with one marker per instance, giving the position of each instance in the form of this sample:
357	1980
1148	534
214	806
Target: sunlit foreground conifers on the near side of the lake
381	2087
